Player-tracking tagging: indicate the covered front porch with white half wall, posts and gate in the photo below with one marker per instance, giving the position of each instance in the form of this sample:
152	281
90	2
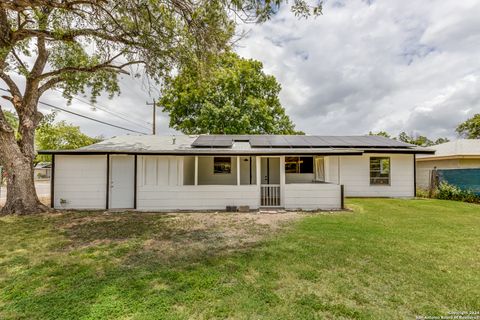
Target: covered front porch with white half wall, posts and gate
215	182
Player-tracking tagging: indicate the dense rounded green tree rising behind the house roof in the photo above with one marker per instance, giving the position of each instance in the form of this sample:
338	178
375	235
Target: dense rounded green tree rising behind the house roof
236	97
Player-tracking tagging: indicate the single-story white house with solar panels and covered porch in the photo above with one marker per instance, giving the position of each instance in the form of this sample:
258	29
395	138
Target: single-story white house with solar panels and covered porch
211	172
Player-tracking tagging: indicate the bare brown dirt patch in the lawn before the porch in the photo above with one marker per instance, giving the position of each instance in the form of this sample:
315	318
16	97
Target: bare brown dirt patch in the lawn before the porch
173	236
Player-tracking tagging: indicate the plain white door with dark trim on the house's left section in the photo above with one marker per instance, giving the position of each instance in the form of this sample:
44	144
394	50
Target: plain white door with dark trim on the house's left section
122	187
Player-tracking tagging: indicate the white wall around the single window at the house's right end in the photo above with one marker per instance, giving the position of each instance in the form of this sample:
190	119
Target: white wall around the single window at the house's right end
355	175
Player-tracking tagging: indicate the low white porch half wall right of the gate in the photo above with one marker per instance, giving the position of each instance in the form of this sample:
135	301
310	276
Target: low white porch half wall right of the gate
312	196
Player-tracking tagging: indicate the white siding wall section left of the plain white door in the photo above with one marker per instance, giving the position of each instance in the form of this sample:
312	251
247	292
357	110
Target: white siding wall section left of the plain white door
81	181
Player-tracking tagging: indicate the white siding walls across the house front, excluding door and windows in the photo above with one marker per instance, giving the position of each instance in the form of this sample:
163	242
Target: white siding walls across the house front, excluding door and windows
81	181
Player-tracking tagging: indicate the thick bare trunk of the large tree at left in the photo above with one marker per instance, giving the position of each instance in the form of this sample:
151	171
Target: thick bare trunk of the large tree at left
21	194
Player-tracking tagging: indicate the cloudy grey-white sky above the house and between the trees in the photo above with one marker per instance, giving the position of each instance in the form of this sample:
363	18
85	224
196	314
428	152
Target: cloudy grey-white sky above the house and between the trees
389	65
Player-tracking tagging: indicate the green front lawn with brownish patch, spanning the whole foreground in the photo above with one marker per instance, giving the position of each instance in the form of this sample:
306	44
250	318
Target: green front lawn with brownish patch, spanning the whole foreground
388	259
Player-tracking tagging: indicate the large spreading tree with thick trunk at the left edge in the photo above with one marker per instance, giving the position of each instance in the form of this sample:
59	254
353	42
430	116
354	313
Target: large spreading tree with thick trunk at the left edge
79	44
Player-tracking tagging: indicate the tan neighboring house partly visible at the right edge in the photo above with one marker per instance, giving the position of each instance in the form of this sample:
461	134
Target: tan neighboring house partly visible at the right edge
460	154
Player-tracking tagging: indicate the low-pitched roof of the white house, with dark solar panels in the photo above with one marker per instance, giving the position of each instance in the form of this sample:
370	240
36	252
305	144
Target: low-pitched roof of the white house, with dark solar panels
244	145
